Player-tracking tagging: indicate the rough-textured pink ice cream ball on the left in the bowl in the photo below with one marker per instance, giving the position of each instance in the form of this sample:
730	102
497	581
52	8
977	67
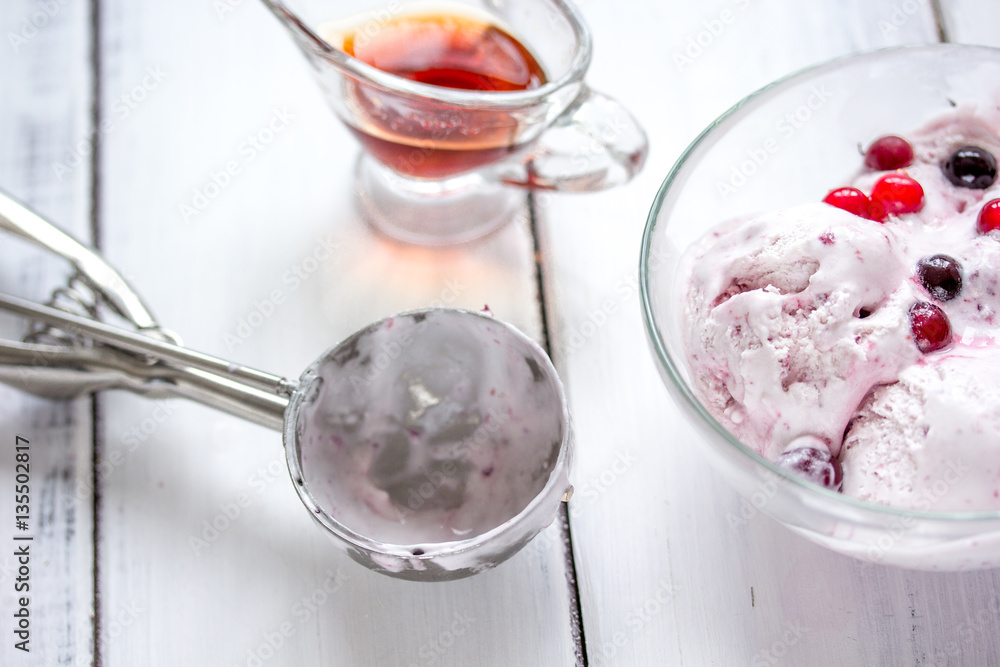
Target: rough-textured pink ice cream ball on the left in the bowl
779	344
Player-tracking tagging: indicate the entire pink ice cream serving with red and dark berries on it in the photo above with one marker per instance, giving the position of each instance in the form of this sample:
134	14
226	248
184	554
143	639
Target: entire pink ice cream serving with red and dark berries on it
859	336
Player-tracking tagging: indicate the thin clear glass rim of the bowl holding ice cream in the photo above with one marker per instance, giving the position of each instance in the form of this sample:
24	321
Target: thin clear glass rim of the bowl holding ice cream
655	336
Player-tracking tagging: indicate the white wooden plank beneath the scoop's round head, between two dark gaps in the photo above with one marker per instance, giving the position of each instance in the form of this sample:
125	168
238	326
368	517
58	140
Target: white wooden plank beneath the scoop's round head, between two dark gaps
269	586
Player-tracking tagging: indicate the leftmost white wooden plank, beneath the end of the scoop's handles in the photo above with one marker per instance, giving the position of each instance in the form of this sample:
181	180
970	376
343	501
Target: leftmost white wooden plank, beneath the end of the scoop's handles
44	142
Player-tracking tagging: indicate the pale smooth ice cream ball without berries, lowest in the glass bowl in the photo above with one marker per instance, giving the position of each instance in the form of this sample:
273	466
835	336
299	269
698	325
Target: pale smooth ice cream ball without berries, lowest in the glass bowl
930	439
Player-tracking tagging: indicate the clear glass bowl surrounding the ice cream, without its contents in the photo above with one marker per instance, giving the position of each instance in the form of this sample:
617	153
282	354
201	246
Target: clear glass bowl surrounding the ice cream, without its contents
791	143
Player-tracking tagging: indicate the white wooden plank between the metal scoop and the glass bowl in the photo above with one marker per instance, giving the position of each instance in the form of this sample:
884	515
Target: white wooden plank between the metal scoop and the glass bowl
664	580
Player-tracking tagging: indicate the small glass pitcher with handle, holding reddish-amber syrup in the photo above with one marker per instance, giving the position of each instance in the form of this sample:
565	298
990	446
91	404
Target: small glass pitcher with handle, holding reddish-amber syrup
447	153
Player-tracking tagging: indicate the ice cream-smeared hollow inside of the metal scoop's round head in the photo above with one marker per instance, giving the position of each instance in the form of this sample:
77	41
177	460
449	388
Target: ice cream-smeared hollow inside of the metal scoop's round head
431	427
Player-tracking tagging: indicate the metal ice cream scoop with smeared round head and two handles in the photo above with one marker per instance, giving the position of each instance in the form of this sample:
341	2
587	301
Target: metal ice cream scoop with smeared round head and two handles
432	445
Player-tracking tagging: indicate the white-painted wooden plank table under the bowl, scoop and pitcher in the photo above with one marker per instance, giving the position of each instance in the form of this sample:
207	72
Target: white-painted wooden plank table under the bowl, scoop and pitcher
115	114
